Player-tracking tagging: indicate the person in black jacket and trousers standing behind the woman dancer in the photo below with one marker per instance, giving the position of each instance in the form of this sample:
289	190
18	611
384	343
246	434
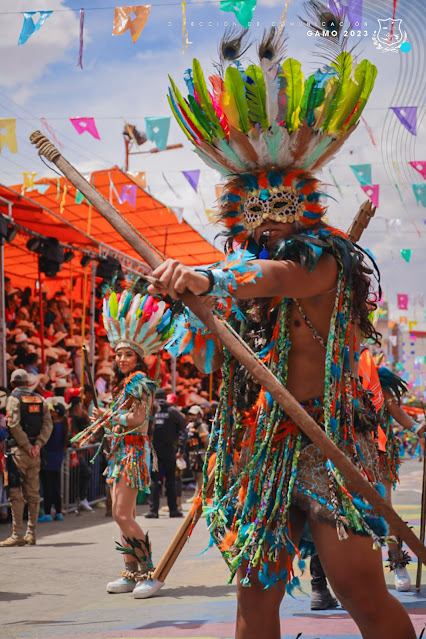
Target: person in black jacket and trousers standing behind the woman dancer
168	424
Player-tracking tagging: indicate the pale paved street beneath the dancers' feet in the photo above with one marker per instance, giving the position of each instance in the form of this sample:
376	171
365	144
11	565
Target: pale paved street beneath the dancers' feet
57	588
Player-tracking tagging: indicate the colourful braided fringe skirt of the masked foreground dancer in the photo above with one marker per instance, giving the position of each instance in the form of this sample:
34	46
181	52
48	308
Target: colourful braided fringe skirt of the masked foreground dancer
249	516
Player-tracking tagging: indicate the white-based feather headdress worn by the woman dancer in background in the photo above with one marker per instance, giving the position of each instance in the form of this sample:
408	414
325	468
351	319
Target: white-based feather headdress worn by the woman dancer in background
139	322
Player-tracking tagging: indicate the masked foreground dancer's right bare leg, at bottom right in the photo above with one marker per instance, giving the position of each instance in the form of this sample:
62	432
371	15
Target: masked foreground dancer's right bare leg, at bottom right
355	572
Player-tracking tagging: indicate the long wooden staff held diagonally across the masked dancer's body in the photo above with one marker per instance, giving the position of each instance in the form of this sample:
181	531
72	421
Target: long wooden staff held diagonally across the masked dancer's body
356	482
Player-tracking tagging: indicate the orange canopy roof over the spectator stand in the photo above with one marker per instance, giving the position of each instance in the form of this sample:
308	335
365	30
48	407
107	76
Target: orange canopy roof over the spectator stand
56	213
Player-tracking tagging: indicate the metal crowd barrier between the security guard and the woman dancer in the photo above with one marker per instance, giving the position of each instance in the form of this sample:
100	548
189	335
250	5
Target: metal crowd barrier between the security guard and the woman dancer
81	479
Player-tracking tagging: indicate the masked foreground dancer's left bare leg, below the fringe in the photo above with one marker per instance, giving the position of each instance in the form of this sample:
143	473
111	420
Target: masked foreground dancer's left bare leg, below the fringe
258	611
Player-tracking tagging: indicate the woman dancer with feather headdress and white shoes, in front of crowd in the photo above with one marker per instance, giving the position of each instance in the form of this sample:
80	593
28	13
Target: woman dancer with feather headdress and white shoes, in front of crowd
136	326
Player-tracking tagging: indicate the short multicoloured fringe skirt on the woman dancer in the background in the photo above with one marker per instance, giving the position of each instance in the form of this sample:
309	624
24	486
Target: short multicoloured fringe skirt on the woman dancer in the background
130	457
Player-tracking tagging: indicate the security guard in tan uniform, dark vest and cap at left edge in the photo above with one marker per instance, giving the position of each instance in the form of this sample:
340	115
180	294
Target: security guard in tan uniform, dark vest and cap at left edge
30	425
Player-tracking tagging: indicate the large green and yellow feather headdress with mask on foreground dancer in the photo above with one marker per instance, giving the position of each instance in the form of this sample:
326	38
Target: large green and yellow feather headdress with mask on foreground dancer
268	128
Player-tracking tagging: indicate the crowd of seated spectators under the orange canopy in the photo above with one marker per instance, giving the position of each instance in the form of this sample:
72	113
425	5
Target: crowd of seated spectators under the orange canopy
59	380
